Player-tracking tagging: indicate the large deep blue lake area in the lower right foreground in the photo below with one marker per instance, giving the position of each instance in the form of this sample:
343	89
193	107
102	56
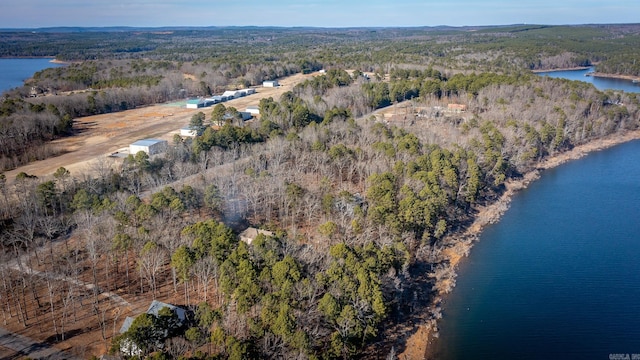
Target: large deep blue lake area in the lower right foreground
559	276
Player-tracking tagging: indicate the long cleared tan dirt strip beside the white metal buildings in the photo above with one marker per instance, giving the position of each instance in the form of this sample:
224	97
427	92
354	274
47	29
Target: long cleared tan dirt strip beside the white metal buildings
101	135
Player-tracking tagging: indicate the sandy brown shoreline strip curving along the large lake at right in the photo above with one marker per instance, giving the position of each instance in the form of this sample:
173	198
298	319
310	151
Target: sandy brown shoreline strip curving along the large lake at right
461	243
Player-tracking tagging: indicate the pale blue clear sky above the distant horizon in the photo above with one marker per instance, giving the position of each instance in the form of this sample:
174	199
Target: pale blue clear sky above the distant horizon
325	13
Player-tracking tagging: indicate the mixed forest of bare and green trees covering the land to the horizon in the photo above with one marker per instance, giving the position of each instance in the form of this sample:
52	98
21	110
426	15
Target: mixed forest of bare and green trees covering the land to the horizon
357	210
